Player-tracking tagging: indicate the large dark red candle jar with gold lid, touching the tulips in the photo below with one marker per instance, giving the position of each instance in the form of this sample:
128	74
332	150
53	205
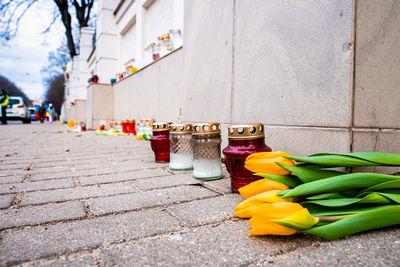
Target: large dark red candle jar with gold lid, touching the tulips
244	140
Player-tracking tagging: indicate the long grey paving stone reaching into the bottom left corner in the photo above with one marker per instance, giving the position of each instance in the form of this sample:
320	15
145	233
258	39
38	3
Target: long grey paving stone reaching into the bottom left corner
46	241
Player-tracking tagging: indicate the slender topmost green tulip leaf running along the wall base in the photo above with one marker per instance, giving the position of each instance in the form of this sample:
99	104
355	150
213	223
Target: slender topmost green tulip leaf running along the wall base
333	160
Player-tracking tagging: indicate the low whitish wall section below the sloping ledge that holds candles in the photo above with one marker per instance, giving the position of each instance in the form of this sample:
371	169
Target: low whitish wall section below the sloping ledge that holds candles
155	91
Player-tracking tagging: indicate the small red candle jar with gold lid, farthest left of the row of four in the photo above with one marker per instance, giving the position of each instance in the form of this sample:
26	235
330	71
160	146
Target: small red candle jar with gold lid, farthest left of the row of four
160	141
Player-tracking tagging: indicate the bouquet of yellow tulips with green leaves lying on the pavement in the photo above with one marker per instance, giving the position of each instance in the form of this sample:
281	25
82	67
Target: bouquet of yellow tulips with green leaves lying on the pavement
302	194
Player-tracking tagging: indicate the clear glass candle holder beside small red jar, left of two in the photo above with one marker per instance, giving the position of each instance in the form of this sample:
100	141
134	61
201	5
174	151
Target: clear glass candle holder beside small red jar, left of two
181	150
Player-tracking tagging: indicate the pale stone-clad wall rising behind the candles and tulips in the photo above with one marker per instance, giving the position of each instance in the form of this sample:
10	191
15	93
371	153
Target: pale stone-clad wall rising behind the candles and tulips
321	75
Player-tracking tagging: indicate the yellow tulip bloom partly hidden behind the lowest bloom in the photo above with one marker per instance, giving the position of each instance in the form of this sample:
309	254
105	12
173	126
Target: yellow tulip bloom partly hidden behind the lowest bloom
245	208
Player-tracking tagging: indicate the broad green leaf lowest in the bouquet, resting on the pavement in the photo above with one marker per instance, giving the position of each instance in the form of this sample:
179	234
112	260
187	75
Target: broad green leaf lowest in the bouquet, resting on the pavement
368	220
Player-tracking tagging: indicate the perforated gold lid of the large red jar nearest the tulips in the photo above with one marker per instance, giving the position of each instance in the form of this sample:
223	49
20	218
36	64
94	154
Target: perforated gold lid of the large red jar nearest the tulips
246	131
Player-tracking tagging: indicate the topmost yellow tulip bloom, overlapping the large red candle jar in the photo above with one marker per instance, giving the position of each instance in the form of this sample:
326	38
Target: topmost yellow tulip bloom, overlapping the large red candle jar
264	162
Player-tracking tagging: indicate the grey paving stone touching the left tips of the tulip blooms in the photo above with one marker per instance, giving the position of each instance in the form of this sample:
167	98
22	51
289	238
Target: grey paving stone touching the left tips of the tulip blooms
205	211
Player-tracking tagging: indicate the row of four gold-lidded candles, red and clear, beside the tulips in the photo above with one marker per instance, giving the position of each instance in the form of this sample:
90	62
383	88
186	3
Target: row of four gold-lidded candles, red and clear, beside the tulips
197	147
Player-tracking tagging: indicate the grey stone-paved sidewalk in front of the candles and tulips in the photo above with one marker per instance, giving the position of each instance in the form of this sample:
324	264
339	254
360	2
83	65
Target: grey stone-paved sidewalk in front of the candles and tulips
77	199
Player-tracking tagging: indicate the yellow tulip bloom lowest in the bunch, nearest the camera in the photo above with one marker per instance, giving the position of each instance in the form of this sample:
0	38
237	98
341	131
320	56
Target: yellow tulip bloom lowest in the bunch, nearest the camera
282	218
